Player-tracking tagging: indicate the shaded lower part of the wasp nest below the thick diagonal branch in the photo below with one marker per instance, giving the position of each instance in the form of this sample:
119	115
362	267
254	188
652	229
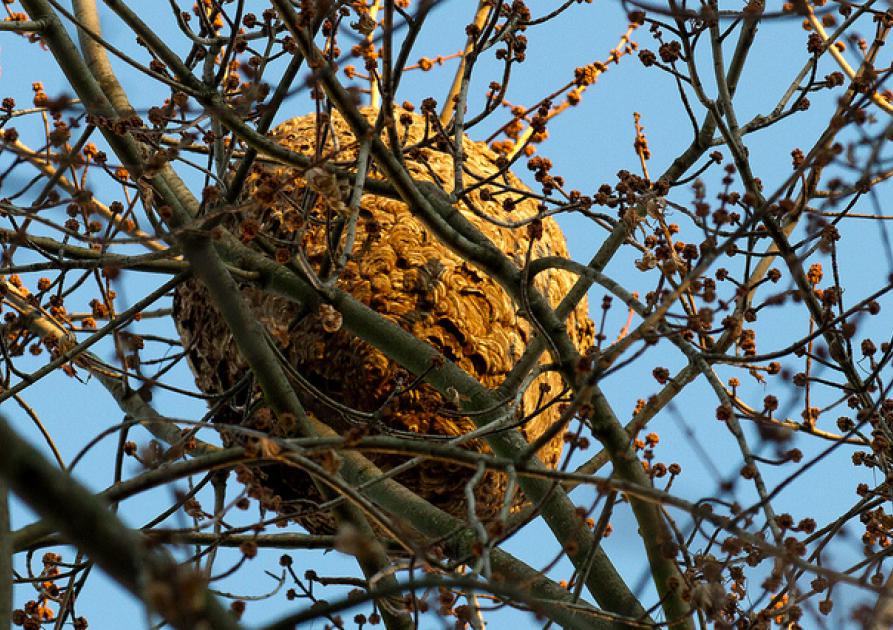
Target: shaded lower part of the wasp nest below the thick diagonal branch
345	370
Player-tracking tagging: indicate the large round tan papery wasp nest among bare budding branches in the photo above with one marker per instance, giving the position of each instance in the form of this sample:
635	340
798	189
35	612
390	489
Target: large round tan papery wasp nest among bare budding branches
400	270
